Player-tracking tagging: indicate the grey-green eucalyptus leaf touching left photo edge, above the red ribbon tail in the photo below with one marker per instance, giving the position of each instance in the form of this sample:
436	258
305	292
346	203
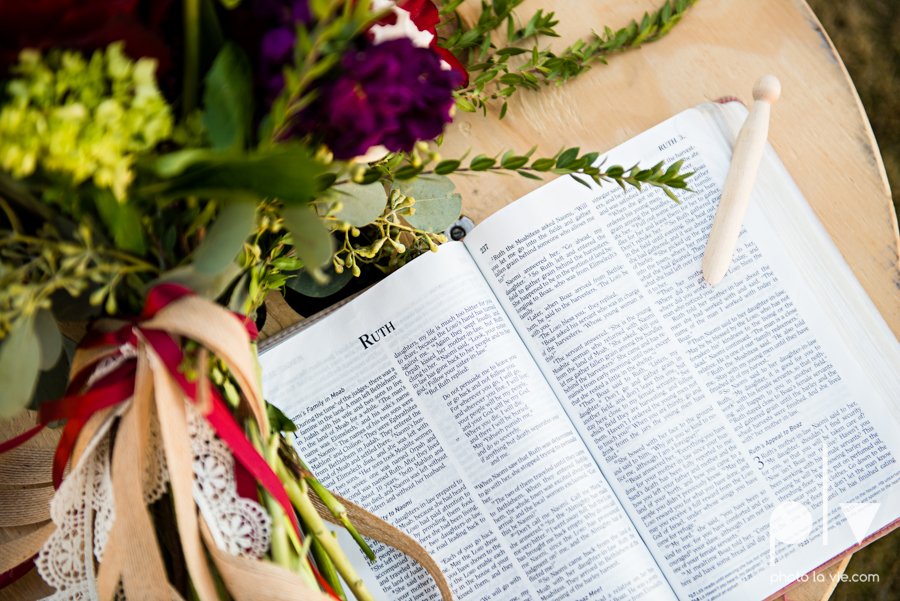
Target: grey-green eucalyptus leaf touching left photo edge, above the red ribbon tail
19	359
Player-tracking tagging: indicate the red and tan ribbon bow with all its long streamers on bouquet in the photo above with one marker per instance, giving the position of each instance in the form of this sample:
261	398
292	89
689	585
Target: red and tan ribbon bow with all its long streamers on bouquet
141	361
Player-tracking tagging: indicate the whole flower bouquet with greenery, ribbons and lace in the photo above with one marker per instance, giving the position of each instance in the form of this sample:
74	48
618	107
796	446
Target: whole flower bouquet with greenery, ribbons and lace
163	166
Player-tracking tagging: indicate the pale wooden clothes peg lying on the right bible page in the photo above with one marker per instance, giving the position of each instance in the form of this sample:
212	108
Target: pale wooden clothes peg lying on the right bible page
748	151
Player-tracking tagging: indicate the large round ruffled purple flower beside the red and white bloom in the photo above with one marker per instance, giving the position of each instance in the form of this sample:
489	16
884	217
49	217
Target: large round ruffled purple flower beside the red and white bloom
391	94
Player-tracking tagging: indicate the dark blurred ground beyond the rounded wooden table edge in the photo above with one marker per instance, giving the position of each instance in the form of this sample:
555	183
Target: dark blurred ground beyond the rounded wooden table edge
867	36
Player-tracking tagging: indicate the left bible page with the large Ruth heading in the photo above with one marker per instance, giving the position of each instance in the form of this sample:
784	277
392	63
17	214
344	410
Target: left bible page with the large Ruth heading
419	402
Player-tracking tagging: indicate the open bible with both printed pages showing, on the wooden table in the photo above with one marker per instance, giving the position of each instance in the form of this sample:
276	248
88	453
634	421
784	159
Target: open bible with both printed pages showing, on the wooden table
560	407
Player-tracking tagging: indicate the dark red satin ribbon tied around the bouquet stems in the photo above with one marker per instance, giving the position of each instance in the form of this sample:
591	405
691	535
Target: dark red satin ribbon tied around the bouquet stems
118	386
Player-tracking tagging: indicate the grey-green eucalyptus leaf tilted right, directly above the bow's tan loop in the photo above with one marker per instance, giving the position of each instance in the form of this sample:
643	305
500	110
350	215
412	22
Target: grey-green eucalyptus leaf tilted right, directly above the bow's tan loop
225	237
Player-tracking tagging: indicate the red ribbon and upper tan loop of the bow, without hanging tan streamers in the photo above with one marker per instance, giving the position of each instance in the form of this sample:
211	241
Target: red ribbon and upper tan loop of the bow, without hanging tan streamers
169	309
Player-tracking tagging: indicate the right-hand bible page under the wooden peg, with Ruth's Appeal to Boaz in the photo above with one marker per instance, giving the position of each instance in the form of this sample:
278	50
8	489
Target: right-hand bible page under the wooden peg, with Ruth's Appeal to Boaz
711	410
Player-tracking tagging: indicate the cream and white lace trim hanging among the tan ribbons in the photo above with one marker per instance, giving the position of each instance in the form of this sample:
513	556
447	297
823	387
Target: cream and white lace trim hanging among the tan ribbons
83	508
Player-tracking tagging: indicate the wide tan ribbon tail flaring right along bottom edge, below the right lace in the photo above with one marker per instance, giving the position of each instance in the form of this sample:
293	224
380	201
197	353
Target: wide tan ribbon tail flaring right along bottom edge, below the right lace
252	579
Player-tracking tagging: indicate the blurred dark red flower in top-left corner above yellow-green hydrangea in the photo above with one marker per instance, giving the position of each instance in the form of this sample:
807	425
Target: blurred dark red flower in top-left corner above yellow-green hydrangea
80	25
